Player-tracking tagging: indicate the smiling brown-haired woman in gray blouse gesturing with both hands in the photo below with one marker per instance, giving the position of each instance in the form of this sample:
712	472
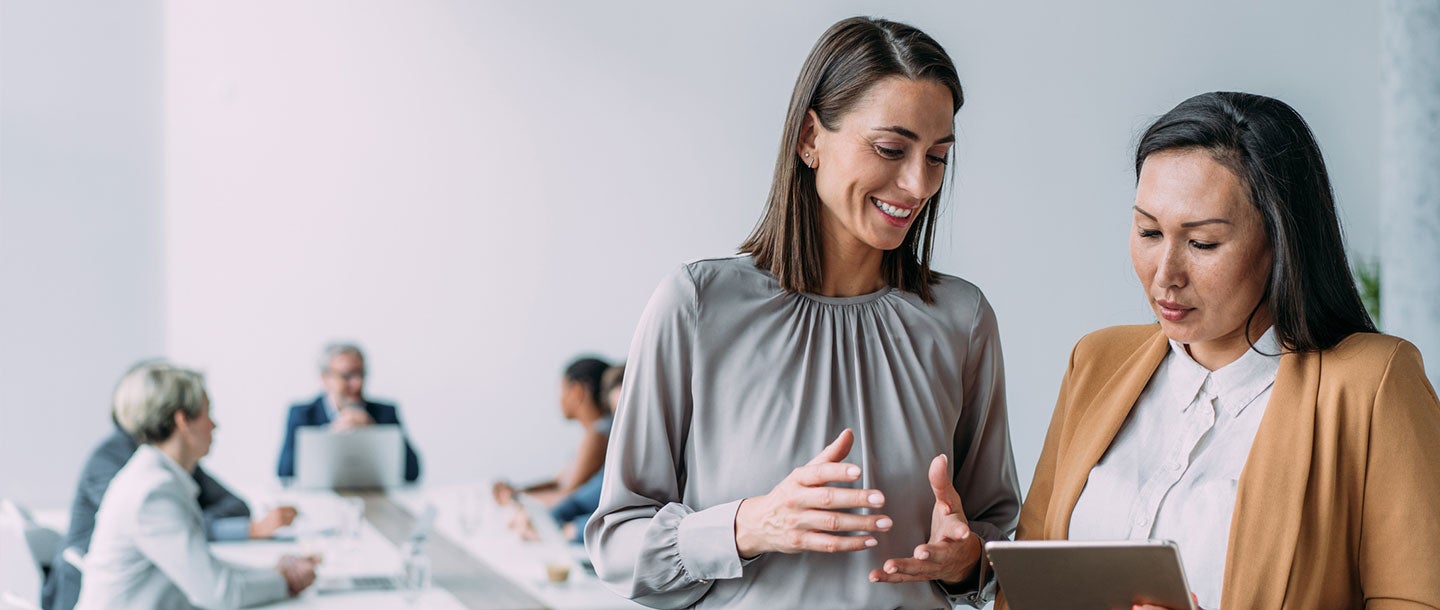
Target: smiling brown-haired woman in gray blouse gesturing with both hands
820	422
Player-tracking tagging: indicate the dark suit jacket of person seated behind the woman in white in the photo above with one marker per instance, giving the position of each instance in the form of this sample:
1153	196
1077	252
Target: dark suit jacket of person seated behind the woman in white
63	589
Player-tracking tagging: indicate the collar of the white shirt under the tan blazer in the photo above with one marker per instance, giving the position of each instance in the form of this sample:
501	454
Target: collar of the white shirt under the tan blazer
1236	385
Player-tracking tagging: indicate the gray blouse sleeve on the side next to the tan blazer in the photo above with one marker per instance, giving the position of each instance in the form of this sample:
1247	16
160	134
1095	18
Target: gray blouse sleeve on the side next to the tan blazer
986	474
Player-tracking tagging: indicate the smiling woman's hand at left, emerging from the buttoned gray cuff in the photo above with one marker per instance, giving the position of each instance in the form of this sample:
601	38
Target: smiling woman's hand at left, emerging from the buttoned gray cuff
804	513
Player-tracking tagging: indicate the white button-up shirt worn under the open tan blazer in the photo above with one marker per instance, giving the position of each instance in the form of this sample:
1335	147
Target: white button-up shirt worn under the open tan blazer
1171	471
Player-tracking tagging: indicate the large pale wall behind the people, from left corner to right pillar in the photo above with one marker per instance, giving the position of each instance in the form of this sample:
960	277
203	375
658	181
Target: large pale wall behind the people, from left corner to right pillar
480	191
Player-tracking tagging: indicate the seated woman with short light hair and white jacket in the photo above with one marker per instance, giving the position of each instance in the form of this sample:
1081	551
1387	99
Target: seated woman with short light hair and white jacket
149	549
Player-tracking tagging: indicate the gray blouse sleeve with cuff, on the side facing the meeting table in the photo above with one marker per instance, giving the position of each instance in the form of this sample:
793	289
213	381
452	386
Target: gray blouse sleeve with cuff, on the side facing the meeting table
646	543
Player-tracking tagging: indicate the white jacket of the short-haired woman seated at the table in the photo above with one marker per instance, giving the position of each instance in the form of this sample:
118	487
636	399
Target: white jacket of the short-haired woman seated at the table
149	549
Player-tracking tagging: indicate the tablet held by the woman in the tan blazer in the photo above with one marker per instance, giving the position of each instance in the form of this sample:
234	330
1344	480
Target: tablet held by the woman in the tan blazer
1089	576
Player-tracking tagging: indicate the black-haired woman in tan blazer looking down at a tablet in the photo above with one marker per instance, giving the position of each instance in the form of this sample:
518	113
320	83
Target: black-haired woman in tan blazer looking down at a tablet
1264	425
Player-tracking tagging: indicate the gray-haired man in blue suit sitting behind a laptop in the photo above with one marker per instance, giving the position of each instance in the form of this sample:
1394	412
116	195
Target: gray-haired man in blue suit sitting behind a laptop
342	406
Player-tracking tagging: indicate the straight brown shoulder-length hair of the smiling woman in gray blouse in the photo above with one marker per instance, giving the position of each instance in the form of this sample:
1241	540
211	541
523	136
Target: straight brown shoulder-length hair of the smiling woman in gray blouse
846	63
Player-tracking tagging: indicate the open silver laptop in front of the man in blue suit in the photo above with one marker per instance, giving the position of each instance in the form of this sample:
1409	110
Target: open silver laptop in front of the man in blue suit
371	457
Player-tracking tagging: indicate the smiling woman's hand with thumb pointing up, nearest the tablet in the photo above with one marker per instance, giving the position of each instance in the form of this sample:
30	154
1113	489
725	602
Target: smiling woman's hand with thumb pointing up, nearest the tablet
953	552
